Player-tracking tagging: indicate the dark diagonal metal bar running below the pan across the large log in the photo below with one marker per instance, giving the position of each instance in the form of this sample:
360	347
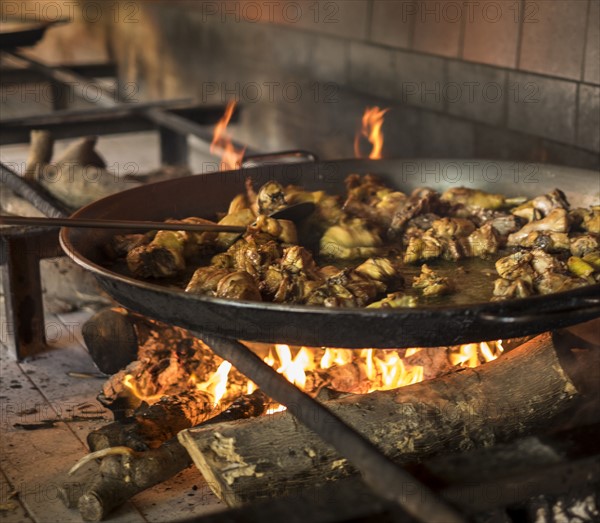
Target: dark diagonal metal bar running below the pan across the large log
385	477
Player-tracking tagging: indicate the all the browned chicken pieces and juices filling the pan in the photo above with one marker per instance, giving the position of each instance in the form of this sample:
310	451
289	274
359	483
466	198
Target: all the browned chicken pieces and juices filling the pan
377	247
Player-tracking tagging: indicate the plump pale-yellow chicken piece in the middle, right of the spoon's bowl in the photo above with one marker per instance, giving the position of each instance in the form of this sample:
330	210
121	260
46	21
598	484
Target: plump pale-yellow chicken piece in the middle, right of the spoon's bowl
351	239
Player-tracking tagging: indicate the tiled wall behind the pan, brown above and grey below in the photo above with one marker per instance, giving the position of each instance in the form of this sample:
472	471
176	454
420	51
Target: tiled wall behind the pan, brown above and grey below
513	79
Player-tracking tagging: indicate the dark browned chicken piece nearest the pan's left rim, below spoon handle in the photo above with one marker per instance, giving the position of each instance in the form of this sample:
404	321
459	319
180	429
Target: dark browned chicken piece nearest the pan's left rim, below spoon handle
163	257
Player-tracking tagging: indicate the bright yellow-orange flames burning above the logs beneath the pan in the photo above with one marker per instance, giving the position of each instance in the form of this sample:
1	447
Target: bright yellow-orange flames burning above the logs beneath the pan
343	370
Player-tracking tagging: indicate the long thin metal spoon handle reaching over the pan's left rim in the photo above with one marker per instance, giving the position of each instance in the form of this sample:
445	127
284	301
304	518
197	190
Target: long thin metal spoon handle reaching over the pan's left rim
119	224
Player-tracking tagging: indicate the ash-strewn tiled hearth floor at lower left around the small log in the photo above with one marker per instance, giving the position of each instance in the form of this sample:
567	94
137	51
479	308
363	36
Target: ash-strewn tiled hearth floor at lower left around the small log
54	389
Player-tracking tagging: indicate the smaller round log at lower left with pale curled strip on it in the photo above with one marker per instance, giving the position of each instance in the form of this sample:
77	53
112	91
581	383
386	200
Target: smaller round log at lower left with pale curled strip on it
125	472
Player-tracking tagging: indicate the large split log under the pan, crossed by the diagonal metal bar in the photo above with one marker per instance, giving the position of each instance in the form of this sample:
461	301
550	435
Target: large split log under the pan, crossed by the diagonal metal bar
472	408
